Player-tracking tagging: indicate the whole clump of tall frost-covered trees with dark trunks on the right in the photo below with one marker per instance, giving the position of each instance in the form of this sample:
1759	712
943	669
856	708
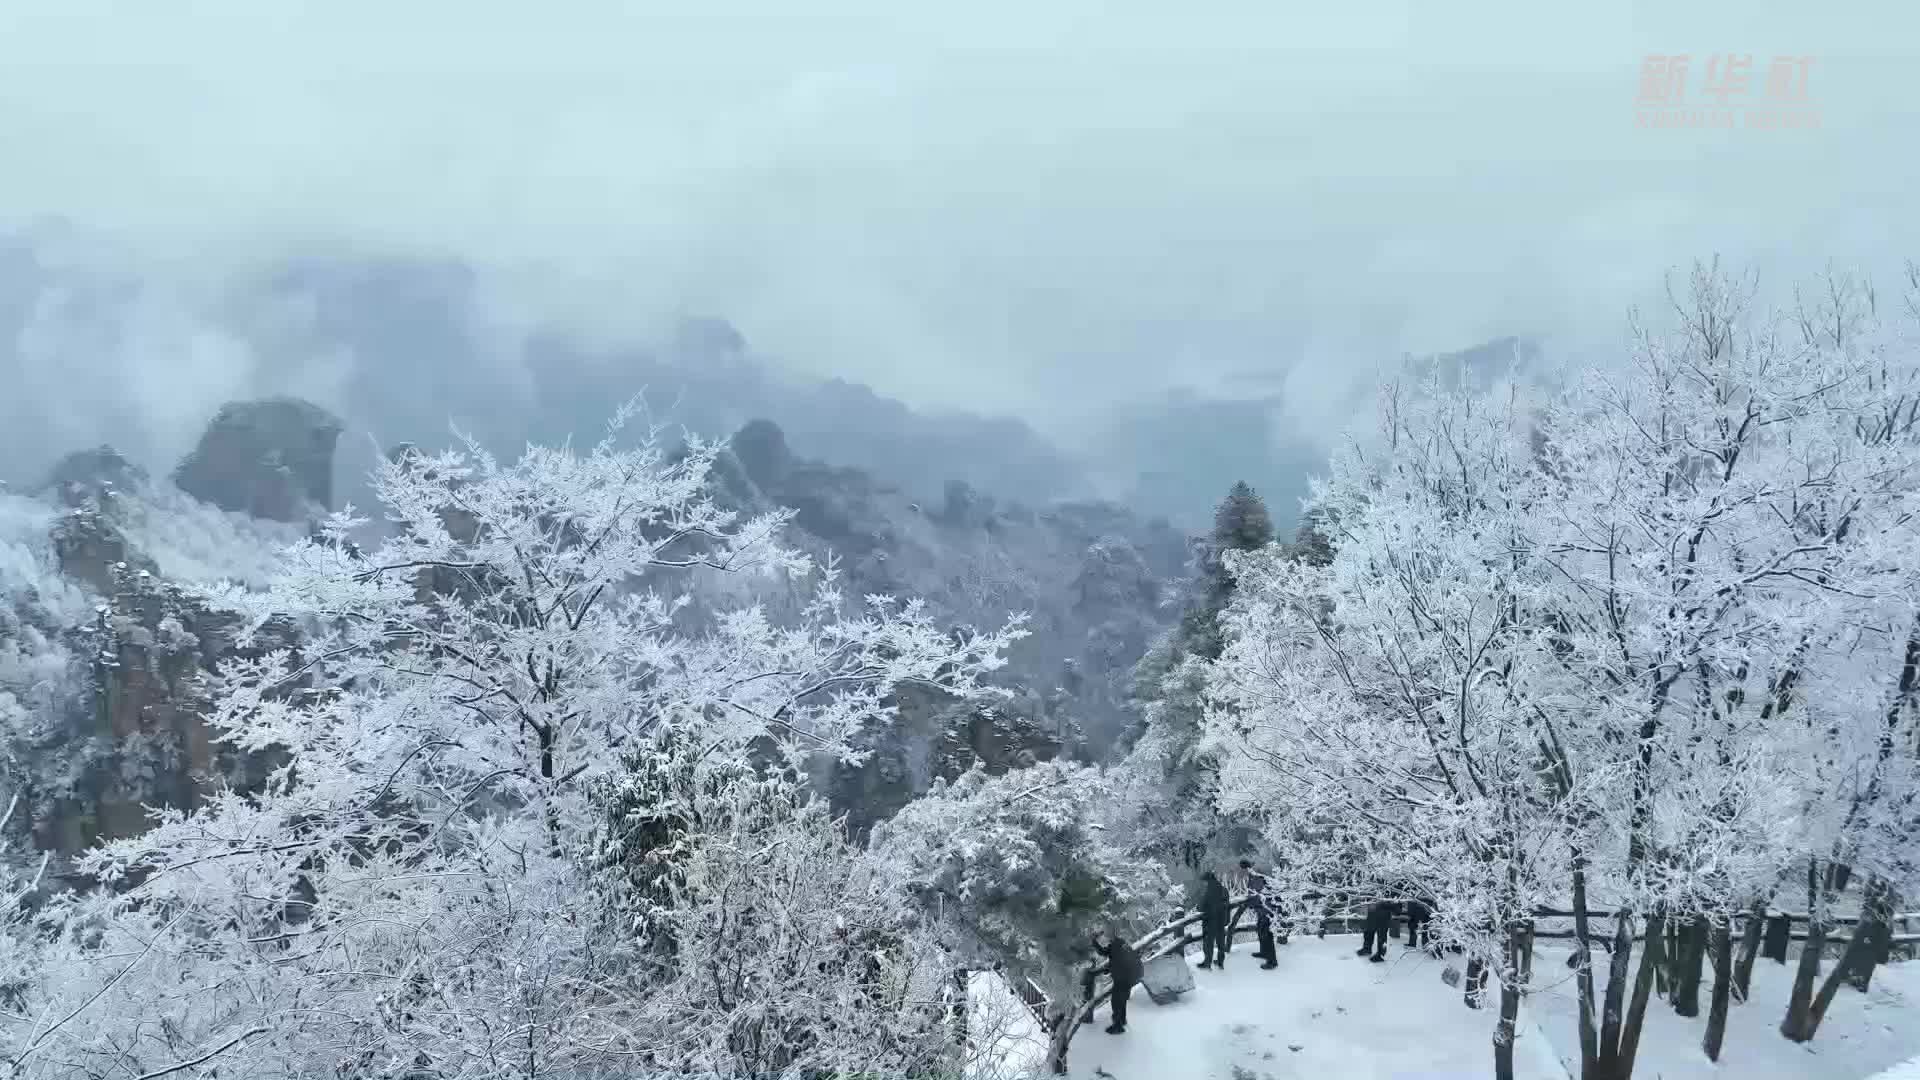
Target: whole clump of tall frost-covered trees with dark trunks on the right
1639	645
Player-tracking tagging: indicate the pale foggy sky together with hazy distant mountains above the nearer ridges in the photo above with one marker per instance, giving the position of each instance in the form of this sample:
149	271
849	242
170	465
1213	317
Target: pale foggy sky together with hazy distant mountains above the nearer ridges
1113	226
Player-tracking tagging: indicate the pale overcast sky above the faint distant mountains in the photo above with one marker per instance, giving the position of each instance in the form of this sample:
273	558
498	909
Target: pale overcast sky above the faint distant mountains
1022	207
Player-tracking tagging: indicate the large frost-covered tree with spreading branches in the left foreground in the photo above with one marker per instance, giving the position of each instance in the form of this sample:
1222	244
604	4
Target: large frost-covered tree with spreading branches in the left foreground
420	891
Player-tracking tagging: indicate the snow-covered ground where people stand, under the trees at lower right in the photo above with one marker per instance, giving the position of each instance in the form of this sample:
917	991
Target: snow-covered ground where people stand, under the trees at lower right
1328	1012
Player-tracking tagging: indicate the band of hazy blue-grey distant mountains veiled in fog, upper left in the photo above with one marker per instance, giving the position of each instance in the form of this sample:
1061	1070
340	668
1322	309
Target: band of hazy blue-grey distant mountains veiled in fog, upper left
404	351
